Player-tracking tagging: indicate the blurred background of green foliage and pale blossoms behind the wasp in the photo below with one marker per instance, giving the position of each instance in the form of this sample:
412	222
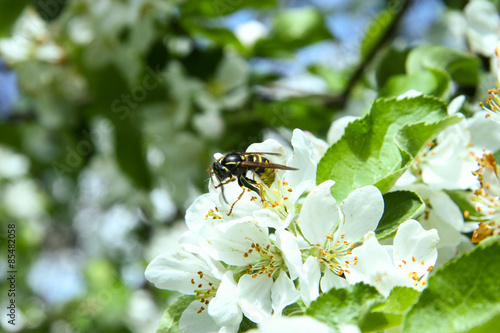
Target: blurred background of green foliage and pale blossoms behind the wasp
123	104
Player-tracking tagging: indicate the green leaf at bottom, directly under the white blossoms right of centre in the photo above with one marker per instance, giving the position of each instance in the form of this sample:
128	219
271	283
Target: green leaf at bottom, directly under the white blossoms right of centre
345	306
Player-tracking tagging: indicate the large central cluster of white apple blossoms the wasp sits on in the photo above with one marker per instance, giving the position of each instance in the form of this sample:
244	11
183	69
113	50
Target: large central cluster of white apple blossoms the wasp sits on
285	245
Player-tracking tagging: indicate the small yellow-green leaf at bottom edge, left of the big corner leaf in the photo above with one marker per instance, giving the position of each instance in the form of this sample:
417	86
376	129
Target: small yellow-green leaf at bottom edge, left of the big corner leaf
390	313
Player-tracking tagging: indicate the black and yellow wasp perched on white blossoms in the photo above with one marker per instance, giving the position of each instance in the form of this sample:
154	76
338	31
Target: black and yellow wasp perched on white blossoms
235	166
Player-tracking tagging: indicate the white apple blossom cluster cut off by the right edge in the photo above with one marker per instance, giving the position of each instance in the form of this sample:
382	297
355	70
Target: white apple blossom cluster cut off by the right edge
456	161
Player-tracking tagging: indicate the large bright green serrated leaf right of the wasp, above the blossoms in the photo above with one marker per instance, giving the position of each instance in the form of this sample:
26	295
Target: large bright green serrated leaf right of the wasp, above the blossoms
367	154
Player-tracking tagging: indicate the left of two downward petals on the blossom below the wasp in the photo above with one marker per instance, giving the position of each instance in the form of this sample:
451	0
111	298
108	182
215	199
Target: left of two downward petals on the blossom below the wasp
255	296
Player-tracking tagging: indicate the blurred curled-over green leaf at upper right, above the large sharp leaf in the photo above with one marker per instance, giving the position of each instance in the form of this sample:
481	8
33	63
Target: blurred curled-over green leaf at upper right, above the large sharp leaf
462	67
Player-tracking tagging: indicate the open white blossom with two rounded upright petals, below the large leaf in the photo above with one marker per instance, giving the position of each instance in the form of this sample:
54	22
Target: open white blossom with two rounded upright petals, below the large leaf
330	232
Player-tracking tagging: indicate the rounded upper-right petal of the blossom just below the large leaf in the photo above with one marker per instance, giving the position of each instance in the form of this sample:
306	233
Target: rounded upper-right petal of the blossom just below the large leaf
362	211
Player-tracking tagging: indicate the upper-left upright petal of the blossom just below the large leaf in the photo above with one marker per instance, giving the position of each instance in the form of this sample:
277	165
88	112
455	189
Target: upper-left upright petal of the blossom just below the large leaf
319	213
